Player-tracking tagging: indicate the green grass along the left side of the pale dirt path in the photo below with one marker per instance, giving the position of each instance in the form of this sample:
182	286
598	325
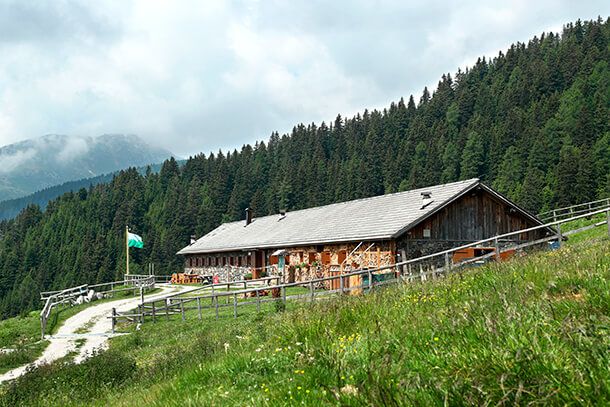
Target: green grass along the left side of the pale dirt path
22	334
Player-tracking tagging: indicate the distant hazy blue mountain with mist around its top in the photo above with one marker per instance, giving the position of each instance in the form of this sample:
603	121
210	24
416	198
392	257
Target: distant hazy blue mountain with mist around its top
35	164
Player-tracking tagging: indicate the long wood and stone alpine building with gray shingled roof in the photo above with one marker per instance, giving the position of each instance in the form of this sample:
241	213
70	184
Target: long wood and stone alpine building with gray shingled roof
367	232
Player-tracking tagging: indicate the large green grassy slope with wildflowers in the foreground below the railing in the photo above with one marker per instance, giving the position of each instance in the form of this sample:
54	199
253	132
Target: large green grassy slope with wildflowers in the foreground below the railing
530	330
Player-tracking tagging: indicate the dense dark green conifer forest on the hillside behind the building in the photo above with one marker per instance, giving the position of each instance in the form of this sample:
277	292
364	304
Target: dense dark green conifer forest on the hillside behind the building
532	122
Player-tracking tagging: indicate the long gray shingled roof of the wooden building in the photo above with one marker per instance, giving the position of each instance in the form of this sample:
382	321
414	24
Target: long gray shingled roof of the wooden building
376	218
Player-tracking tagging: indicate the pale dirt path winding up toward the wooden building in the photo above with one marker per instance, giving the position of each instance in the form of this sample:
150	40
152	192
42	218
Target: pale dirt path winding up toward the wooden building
93	320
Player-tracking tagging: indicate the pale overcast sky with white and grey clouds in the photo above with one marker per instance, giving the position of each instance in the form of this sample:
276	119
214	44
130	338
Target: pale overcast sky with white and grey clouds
196	76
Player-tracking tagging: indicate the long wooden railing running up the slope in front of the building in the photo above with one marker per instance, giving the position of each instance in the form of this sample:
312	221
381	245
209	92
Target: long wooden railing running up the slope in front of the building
422	268
